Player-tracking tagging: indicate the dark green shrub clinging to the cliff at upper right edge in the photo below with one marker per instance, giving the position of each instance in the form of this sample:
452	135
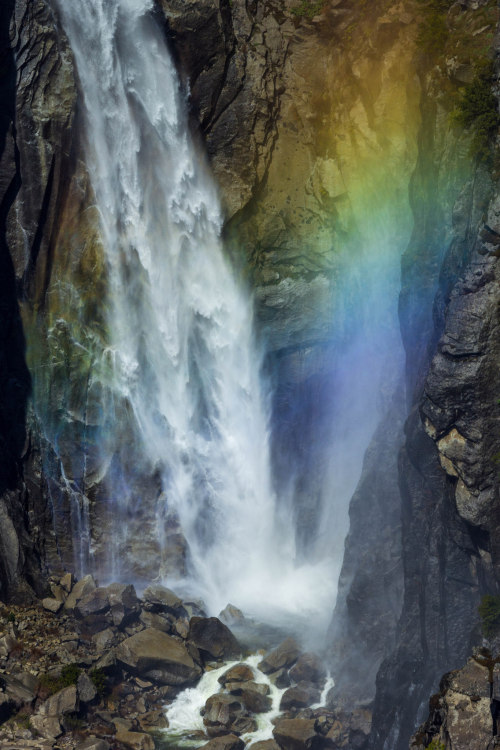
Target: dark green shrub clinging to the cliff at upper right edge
478	110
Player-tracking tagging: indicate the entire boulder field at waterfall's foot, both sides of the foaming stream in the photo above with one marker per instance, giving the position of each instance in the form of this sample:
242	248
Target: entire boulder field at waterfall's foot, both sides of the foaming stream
92	668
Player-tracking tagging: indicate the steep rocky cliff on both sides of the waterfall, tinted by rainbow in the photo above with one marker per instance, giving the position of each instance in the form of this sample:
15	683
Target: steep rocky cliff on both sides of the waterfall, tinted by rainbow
316	119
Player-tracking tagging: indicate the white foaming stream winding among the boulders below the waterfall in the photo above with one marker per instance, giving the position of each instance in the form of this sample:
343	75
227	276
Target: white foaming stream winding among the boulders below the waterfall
184	714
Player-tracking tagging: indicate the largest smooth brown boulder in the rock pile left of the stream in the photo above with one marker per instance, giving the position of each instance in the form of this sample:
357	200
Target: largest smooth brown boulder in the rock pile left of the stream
157	656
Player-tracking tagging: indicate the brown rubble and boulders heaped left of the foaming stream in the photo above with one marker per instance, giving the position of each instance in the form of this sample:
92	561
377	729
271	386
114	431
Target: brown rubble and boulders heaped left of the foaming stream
93	667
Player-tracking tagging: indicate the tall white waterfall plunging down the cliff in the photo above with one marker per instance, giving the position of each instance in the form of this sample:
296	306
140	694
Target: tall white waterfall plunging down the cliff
184	365
